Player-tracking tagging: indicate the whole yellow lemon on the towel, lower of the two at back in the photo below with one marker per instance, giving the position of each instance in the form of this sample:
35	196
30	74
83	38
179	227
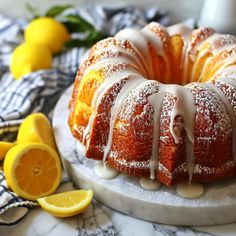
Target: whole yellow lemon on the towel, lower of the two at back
27	58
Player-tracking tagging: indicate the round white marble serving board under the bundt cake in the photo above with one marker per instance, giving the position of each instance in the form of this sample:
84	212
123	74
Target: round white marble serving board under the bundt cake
216	206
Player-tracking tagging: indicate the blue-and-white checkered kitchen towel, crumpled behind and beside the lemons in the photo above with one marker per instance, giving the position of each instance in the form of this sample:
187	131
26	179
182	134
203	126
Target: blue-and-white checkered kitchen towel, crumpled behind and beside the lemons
39	91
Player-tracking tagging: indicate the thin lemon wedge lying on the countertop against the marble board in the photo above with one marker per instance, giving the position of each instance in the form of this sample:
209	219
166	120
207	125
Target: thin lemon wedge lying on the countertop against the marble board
68	203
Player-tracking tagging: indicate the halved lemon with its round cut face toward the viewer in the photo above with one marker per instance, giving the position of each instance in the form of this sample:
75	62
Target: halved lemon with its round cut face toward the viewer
32	170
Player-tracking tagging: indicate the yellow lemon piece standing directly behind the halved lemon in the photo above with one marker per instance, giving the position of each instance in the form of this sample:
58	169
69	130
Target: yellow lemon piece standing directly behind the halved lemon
36	128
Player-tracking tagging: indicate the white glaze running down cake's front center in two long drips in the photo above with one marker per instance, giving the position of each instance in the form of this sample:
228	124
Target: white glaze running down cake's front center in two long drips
185	107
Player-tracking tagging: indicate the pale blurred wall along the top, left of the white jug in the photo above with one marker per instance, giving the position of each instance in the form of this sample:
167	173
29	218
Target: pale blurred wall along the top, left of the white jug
179	9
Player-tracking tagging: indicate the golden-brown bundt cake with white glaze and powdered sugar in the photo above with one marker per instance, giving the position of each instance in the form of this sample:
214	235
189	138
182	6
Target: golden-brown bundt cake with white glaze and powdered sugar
159	102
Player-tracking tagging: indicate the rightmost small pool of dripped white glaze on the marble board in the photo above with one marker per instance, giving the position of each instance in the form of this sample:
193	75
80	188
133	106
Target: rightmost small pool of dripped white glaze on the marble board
189	190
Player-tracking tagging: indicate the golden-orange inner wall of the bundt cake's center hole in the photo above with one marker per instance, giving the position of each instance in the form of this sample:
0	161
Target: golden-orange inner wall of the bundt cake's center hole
180	67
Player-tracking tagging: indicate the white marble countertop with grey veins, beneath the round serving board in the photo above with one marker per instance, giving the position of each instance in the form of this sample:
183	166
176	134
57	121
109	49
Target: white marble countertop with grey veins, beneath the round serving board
100	220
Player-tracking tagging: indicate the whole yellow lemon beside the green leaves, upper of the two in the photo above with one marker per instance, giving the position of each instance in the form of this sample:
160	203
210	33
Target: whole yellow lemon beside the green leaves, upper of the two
48	32
